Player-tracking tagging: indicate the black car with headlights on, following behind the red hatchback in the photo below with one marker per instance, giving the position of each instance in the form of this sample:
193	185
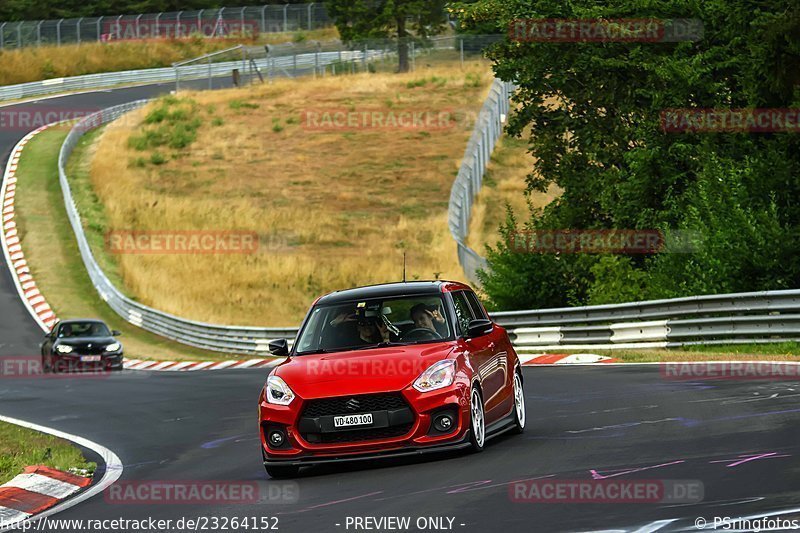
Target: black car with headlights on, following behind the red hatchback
84	344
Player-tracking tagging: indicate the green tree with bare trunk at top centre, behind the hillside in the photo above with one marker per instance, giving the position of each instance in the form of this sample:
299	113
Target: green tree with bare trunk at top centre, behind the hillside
380	19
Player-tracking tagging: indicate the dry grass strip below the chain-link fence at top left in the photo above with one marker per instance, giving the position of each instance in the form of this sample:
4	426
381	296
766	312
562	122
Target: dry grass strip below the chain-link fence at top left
39	63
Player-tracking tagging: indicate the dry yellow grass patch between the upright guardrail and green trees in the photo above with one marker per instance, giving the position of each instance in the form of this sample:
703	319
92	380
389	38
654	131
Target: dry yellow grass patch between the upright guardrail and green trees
504	185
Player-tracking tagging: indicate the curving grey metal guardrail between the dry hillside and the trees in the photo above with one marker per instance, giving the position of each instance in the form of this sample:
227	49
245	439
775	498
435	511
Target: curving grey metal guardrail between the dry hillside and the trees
488	129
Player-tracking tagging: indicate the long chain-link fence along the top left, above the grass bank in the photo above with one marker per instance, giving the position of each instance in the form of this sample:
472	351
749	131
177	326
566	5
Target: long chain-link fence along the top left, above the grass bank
222	22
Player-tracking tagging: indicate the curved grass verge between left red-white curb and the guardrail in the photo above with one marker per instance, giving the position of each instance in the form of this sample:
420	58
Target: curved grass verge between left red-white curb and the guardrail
54	259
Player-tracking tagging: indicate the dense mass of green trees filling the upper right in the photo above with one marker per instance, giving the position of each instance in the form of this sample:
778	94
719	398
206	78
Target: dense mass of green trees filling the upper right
594	109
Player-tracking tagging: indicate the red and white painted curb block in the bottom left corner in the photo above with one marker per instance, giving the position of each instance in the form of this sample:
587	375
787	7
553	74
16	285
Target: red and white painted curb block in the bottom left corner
38	488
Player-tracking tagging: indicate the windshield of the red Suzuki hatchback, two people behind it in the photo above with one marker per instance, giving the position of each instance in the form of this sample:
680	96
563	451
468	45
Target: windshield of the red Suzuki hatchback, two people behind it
370	323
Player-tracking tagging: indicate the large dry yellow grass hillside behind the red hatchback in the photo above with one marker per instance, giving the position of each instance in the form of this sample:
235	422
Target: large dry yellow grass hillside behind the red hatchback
333	209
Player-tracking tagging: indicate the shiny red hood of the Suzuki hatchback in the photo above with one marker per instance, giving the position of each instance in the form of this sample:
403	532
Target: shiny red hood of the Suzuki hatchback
360	371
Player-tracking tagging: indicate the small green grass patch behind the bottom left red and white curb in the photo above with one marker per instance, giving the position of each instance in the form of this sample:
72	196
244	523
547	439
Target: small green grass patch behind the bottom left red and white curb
21	447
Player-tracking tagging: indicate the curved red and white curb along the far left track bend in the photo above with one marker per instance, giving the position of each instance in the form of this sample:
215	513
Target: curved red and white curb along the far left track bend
12	247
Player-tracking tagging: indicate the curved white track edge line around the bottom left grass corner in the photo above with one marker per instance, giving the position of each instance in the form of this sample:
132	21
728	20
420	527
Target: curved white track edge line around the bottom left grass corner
113	471
